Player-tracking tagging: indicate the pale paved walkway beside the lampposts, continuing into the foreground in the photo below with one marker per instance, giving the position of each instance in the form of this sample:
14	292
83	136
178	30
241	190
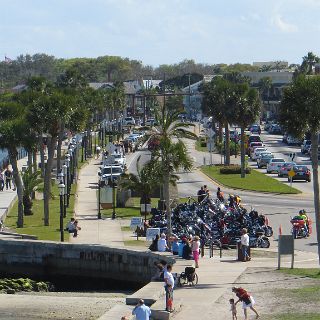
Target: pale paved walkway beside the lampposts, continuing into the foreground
216	276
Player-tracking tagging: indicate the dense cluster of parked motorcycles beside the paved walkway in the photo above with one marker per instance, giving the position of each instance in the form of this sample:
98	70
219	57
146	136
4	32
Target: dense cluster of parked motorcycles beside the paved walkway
215	223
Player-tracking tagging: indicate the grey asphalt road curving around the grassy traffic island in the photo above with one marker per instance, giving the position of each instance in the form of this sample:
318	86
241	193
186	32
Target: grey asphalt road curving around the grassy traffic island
278	208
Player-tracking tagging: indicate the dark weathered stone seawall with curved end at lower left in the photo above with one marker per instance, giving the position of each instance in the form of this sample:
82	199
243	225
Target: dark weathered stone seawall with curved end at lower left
47	259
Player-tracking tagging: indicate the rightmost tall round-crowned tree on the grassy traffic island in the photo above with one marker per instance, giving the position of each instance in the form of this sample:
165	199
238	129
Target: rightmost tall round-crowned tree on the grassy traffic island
246	107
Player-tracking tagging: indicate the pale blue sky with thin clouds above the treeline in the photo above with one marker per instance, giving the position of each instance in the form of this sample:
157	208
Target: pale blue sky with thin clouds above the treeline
162	31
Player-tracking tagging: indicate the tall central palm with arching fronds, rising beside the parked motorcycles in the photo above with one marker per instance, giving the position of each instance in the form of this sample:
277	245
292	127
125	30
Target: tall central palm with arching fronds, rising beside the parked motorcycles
171	155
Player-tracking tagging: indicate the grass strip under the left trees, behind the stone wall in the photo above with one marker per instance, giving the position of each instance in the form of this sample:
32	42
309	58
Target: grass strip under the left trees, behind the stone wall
33	225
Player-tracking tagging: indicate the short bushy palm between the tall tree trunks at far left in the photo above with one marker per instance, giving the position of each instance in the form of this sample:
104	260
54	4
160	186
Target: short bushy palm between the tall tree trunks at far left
30	182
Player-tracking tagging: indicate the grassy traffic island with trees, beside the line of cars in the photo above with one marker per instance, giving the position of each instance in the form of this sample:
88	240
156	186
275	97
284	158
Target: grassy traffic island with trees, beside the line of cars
255	181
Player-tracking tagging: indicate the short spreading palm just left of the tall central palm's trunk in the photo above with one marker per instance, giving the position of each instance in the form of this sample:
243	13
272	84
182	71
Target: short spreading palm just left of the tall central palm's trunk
144	182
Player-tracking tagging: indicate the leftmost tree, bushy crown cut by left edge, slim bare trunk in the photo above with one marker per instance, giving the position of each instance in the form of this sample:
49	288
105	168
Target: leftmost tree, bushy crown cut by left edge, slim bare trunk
13	126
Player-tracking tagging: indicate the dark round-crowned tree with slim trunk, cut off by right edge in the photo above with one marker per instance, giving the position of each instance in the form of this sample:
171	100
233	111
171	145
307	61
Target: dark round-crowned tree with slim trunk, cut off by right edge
300	113
